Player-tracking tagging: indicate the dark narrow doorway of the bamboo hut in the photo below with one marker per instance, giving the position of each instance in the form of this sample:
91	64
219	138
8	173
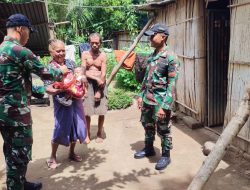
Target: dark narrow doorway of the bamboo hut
218	41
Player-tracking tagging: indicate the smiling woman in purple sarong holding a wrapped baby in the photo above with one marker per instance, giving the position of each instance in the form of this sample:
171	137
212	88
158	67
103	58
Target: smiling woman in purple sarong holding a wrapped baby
70	122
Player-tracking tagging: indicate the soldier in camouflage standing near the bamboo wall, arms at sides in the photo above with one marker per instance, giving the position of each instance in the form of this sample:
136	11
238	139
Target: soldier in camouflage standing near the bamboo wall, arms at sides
156	96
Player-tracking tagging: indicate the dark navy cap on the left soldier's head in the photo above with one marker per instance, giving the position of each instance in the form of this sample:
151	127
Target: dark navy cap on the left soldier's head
19	20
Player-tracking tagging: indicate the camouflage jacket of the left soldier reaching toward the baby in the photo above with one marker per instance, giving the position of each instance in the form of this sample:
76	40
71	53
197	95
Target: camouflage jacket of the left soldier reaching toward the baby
16	65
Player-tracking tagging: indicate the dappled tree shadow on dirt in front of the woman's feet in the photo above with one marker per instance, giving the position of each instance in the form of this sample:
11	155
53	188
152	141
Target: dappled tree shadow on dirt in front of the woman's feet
67	175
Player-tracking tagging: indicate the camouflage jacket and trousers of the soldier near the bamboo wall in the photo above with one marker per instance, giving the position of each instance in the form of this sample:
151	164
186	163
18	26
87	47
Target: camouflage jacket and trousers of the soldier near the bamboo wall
158	91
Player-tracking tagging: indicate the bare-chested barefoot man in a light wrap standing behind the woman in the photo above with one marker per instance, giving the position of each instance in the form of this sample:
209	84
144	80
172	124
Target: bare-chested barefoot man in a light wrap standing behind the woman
95	102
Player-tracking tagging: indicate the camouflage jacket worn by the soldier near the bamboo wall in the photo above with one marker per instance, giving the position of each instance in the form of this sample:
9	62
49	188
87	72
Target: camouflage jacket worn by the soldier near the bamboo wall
158	86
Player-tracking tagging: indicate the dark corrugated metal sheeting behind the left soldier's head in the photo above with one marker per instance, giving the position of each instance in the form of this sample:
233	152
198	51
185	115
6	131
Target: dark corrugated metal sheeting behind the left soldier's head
36	12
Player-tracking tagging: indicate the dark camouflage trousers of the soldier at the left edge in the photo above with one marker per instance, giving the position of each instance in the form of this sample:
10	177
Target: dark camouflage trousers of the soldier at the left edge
17	151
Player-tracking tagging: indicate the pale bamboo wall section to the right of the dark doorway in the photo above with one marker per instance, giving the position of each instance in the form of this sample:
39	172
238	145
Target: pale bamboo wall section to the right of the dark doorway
239	67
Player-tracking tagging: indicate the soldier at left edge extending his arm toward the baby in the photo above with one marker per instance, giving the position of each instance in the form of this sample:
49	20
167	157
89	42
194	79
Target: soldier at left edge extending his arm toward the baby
16	65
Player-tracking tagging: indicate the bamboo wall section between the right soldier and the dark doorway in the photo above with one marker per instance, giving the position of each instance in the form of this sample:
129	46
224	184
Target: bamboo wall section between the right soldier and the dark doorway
187	39
